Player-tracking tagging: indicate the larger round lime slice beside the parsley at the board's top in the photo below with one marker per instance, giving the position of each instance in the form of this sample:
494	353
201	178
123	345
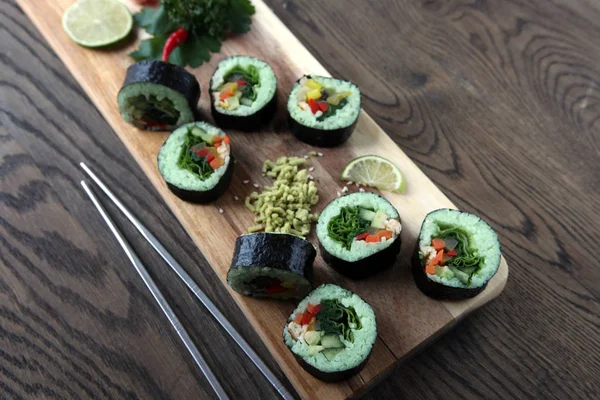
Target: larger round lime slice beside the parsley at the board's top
95	23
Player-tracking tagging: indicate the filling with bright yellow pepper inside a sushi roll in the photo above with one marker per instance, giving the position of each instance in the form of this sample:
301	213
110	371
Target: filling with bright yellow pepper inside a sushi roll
322	101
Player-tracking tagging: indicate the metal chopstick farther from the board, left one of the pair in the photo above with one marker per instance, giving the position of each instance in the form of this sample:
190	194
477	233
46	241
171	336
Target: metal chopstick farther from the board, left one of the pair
162	302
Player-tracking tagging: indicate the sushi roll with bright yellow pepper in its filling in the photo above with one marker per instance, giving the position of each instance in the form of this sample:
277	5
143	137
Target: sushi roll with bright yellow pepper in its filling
323	111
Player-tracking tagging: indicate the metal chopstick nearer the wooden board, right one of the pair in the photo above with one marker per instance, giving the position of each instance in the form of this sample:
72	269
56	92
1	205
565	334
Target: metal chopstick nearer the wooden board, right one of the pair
210	306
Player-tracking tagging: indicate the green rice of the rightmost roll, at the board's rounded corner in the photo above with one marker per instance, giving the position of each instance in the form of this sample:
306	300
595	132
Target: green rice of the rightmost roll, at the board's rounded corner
482	241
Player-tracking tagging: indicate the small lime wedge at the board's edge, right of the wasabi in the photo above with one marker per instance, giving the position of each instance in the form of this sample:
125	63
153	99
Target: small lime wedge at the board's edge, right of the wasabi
374	171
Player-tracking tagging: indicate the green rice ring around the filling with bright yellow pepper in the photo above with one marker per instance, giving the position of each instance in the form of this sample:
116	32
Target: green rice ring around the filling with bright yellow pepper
342	118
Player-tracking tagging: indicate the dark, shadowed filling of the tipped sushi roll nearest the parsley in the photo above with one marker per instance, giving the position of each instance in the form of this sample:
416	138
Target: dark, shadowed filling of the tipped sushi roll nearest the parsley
151	112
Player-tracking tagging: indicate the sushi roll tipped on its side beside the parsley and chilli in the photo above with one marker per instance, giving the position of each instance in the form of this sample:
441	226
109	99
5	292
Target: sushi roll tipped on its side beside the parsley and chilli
158	96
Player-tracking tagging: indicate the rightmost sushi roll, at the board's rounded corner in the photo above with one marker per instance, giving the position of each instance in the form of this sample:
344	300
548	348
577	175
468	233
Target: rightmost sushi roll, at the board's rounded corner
456	255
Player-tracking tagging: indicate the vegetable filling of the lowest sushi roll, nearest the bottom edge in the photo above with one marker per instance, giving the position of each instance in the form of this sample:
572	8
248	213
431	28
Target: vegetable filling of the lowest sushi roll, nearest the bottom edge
327	327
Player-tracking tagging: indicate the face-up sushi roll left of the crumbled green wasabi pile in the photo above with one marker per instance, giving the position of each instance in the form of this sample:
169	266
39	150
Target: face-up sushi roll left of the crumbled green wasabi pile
196	162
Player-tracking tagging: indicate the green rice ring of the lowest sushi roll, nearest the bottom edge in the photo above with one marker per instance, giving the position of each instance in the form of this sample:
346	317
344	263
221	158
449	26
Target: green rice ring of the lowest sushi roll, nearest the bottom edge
363	338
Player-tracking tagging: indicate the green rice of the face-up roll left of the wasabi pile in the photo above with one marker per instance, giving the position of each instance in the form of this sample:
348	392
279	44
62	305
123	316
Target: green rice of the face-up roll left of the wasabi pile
169	156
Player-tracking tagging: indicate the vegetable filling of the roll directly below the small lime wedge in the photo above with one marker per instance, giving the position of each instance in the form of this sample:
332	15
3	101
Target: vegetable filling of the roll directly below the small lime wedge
355	223
